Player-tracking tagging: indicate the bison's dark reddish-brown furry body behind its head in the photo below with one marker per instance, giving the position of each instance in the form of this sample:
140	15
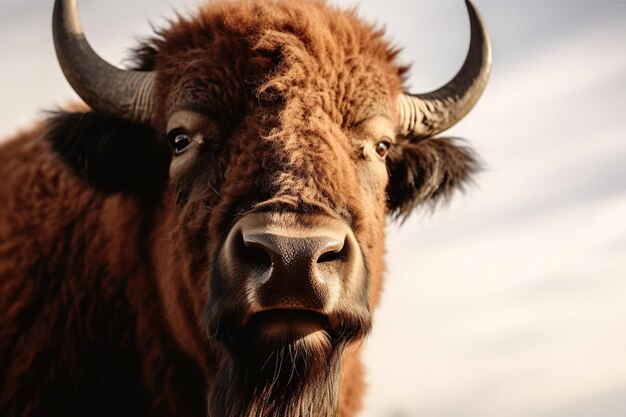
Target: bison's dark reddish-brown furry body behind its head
53	226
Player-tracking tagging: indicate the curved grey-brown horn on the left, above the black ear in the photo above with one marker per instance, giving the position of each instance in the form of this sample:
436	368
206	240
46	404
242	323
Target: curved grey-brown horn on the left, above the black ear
127	94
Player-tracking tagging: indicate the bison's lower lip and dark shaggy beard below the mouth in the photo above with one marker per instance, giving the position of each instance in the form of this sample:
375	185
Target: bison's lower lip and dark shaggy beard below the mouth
280	364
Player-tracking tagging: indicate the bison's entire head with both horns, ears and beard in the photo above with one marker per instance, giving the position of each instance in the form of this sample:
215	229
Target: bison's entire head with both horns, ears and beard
270	142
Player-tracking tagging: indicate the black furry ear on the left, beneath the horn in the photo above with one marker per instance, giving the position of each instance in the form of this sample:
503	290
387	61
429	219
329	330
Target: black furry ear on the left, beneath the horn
111	154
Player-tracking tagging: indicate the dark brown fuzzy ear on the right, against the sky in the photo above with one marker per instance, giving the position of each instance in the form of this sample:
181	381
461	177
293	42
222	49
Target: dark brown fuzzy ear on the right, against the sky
427	171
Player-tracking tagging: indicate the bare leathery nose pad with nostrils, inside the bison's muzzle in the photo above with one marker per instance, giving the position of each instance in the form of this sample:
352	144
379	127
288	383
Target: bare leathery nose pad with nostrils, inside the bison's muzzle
295	272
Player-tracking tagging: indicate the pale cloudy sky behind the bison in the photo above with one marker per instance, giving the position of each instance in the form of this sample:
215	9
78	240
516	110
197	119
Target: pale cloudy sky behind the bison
511	301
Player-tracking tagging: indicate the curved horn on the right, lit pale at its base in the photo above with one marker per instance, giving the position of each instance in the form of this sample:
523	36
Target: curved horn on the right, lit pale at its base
425	115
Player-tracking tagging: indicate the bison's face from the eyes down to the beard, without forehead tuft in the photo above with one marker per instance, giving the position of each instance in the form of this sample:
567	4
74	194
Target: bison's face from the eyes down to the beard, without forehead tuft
291	227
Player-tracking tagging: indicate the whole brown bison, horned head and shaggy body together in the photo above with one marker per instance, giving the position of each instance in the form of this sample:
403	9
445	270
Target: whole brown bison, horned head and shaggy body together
207	236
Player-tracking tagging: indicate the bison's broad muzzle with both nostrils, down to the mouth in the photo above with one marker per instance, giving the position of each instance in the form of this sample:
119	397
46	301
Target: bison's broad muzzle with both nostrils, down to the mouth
288	261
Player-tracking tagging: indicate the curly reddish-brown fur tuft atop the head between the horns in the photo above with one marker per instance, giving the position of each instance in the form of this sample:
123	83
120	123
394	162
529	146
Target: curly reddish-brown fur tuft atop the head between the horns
281	49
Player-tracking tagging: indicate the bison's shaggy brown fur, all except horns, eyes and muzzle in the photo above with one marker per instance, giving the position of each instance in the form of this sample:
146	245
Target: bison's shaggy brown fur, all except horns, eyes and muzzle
110	303
